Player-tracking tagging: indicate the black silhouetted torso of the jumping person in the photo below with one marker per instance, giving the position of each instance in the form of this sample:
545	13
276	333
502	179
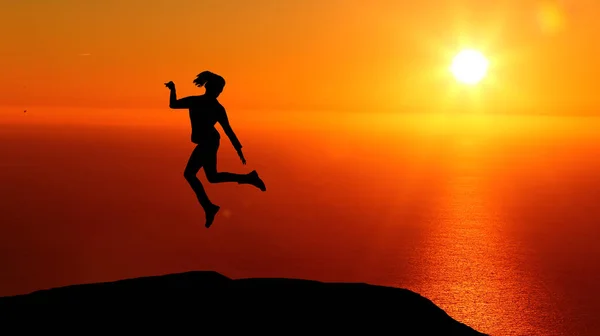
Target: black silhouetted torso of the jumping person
203	117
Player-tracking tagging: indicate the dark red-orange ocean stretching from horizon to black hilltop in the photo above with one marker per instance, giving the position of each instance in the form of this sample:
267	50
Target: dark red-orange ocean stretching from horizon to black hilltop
492	217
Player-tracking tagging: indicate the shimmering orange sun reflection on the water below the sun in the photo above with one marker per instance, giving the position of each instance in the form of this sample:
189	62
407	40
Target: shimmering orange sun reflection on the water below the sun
470	265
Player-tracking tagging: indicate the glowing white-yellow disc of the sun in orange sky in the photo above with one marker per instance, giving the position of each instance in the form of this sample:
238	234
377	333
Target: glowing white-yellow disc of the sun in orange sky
469	66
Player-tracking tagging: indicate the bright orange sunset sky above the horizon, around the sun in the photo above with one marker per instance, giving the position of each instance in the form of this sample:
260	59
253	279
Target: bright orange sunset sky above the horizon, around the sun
300	54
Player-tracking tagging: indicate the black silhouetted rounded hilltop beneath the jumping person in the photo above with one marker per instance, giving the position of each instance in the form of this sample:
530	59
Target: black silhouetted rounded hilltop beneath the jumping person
208	302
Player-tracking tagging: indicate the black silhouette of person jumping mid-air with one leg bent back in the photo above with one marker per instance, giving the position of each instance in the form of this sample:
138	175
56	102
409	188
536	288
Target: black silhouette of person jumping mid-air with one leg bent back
205	111
